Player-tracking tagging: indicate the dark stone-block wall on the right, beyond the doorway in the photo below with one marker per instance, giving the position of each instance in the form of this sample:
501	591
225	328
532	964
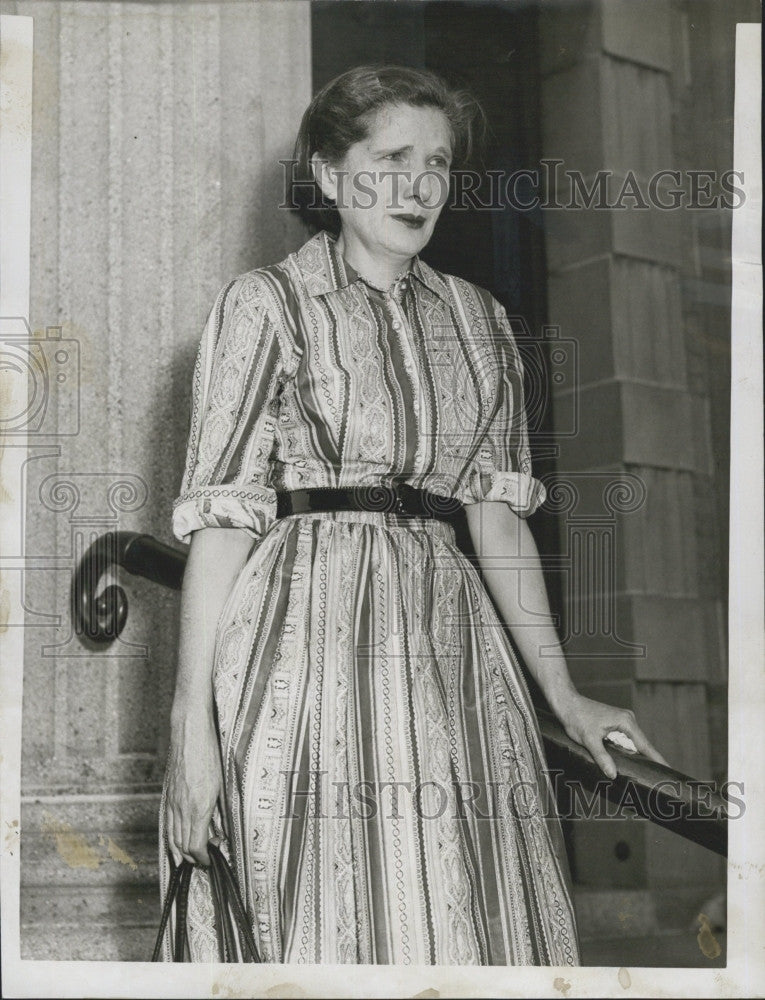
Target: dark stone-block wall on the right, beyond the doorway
645	616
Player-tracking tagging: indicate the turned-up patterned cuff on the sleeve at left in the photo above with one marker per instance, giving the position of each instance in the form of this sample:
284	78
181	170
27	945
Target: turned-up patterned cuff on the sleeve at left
253	509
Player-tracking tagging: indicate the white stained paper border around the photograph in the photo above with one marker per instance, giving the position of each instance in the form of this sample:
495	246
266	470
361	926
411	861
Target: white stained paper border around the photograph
744	974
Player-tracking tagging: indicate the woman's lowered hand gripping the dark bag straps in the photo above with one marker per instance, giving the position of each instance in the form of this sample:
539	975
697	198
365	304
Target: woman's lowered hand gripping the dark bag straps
194	783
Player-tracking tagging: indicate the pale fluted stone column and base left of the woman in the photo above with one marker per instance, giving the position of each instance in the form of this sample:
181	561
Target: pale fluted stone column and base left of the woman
157	134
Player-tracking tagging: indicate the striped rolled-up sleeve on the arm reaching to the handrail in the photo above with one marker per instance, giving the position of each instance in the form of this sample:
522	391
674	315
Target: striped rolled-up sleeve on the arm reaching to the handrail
502	468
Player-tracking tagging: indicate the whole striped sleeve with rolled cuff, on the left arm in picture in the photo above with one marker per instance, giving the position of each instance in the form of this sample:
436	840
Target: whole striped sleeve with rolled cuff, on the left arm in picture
232	418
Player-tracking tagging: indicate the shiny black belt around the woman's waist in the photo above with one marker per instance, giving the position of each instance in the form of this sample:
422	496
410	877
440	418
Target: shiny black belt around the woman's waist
402	499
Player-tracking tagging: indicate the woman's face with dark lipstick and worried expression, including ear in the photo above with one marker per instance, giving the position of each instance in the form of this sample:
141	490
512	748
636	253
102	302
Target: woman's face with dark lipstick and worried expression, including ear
391	186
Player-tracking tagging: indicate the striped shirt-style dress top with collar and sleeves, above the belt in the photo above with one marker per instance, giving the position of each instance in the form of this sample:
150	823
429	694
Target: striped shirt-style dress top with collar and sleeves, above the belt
306	376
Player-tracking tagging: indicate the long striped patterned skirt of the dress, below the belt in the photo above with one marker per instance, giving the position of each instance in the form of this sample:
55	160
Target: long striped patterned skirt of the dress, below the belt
387	799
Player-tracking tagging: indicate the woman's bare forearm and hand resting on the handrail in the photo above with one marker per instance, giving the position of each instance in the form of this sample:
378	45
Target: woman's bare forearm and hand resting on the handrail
510	564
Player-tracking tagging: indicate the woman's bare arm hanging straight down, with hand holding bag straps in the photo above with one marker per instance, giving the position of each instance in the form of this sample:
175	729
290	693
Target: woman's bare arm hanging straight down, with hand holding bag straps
215	559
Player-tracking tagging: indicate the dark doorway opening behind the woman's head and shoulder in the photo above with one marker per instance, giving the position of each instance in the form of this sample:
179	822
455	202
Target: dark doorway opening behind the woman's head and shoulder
492	49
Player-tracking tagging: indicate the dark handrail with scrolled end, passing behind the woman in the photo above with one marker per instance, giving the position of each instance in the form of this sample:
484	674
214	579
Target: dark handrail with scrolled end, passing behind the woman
642	787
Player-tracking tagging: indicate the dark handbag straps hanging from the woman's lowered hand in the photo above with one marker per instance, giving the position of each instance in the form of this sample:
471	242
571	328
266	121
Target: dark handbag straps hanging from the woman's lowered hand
236	942
